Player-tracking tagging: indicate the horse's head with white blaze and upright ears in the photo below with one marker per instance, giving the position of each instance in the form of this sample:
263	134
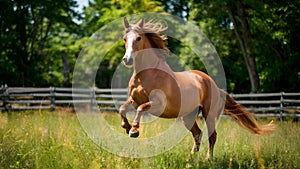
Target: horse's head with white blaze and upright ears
133	41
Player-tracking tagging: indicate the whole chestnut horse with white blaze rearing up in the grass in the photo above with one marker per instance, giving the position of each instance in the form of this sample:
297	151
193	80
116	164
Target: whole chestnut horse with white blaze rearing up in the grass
155	88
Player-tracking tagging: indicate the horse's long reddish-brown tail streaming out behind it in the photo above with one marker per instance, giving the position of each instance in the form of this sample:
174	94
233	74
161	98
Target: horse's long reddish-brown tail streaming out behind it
245	118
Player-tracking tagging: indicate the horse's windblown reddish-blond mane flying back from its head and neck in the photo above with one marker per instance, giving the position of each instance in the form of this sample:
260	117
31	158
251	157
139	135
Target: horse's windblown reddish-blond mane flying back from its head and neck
152	30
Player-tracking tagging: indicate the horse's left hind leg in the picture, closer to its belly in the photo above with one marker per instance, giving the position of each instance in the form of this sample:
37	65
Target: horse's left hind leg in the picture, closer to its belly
191	124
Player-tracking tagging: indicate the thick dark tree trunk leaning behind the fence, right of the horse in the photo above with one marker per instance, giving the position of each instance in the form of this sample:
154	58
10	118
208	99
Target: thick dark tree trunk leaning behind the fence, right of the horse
242	32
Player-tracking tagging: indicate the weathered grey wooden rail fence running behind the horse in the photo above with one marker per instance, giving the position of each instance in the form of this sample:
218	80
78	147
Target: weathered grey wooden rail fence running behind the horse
18	98
